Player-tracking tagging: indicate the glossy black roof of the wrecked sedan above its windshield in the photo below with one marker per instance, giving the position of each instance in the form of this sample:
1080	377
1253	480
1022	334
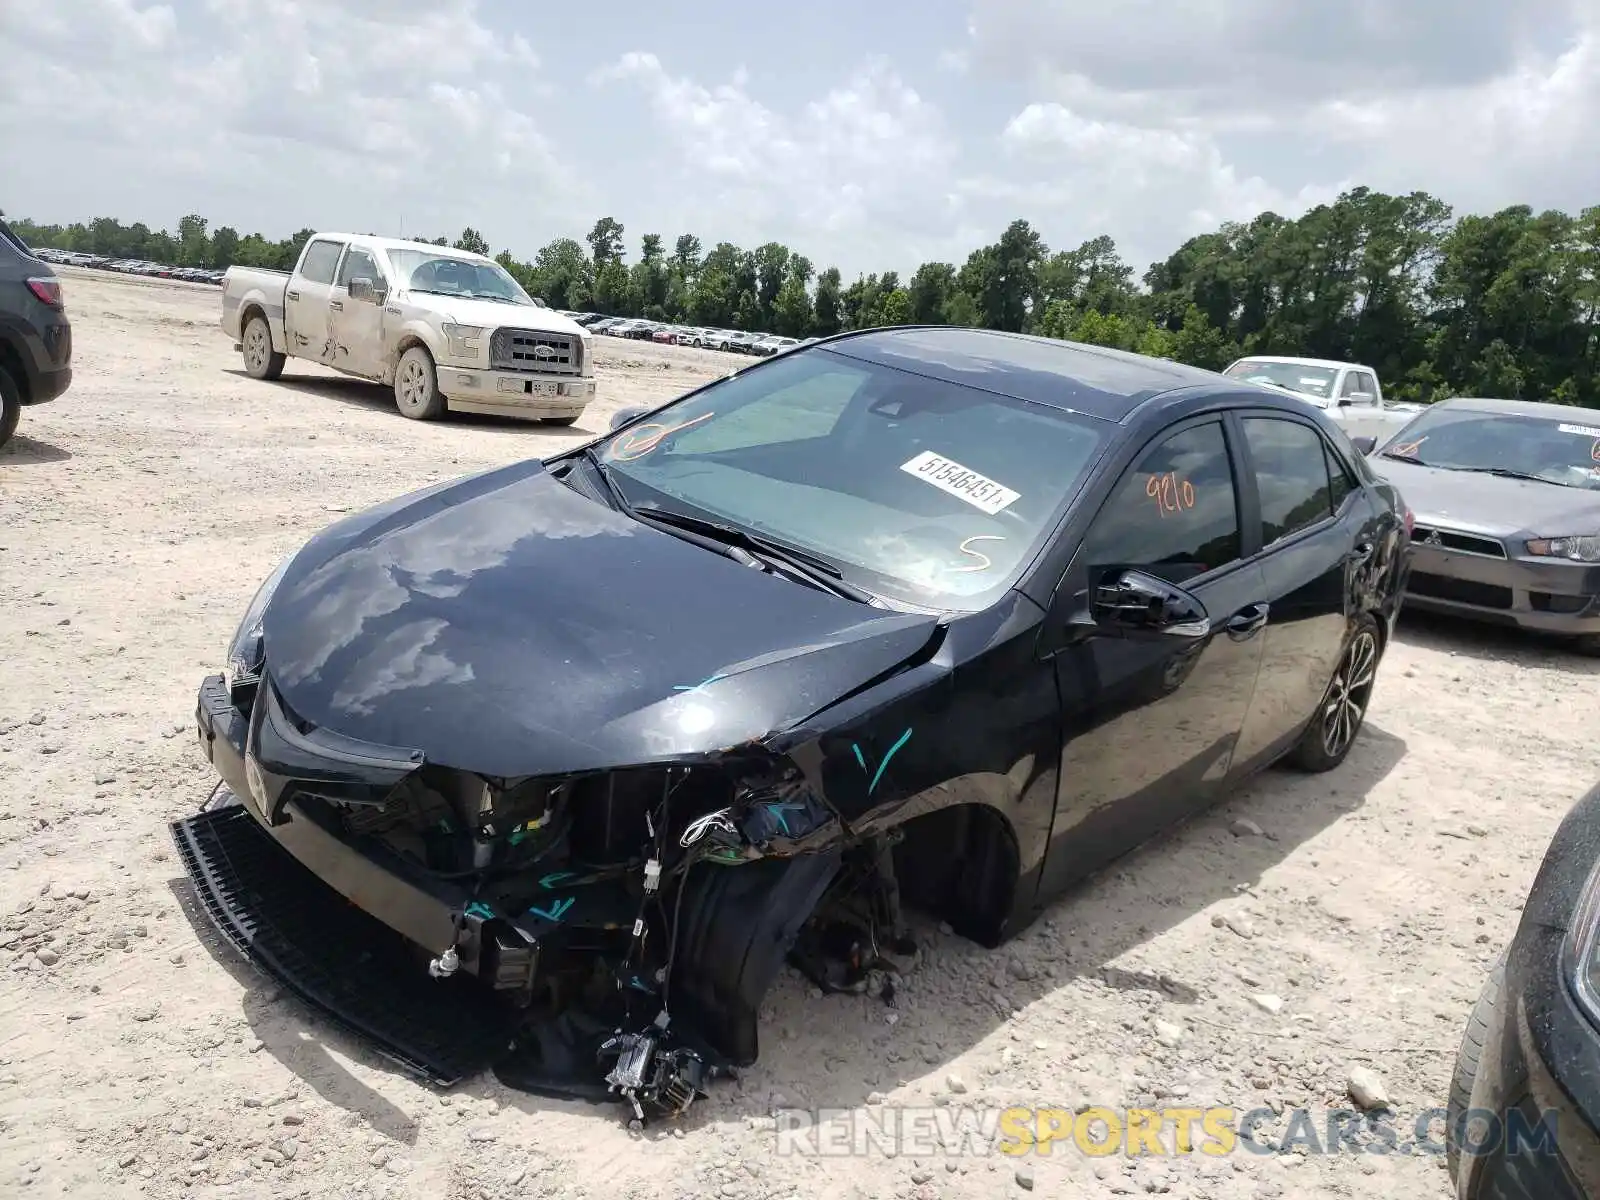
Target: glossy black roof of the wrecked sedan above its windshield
1063	375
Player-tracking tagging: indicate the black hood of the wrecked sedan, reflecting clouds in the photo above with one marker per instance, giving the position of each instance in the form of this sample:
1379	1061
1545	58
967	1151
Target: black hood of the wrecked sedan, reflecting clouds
510	626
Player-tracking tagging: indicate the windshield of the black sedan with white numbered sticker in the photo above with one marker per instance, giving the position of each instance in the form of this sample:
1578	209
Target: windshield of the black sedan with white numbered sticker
918	490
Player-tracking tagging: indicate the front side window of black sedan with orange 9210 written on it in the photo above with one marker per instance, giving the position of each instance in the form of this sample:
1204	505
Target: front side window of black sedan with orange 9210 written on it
1174	514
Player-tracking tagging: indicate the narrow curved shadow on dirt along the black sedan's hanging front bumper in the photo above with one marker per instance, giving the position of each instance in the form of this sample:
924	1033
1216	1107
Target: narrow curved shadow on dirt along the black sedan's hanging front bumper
298	1036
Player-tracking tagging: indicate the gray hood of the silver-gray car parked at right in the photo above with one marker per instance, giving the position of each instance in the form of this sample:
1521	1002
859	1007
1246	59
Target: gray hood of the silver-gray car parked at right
1492	505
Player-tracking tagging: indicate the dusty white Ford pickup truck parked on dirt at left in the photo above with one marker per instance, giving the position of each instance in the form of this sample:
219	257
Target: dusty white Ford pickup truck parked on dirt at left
444	327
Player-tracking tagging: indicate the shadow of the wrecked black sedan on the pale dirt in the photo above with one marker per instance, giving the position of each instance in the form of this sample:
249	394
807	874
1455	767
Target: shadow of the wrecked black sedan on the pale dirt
1159	886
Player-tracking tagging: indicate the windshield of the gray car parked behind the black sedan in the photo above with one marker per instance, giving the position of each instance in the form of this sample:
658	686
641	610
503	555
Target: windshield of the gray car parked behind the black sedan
1543	447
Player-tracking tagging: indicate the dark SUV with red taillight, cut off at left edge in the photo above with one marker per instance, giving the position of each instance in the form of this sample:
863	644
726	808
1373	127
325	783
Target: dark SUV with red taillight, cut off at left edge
36	340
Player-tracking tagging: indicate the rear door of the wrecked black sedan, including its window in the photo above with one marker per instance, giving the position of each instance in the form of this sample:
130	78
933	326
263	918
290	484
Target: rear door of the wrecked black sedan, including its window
1316	532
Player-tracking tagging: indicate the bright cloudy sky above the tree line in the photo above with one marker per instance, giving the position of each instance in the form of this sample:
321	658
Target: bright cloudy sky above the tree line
866	135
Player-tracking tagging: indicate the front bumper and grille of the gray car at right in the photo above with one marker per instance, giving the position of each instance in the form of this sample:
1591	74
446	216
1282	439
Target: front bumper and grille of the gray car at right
1538	594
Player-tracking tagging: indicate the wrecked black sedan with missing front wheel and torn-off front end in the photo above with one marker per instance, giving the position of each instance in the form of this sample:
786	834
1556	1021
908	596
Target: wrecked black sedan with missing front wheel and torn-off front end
551	769
